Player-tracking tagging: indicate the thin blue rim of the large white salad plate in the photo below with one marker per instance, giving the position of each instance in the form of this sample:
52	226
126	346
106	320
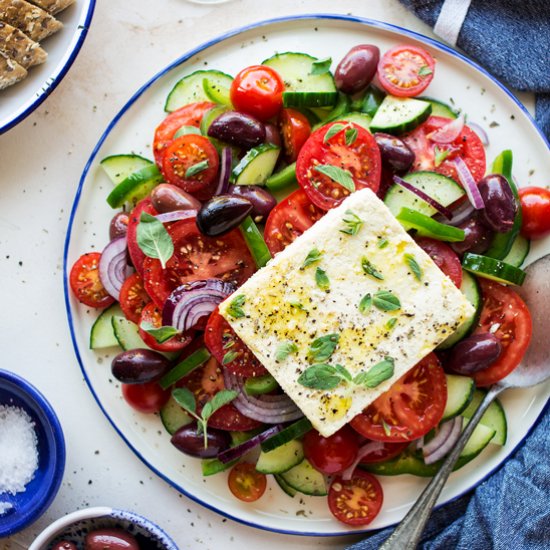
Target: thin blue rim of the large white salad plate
272	21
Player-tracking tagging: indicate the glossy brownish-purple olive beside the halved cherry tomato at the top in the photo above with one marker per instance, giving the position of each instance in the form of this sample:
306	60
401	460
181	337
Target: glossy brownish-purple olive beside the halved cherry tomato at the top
357	68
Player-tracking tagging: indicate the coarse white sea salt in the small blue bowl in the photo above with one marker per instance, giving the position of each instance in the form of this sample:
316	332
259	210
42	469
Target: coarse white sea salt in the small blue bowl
18	450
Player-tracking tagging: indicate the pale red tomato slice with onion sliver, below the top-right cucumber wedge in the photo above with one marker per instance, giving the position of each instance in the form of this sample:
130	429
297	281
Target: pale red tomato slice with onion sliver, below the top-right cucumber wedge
467	146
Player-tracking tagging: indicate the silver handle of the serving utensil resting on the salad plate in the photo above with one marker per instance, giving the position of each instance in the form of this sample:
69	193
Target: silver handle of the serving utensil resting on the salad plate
407	534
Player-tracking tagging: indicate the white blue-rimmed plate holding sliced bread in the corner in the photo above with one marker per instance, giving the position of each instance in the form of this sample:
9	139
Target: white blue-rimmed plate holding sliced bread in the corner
21	99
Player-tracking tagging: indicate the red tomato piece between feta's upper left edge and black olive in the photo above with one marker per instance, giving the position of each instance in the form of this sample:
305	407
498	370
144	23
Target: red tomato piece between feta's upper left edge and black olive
289	219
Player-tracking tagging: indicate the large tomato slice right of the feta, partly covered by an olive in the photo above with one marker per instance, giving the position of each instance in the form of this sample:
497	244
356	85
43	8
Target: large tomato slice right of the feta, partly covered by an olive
506	315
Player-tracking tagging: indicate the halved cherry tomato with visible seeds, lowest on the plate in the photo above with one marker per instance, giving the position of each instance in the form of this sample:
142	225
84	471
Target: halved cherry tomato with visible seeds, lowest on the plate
357	501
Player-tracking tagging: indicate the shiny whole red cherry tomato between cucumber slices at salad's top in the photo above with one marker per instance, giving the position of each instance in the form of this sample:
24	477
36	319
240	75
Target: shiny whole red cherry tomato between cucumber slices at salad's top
258	91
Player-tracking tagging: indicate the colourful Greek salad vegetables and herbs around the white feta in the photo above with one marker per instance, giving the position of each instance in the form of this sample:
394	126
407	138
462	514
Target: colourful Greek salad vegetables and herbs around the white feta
243	167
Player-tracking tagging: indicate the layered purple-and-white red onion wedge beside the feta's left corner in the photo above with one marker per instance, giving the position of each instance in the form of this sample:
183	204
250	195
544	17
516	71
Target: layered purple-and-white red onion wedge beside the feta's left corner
189	305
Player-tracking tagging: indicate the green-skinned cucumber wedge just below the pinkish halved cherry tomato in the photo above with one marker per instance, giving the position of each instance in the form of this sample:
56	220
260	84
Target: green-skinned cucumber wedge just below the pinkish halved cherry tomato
399	115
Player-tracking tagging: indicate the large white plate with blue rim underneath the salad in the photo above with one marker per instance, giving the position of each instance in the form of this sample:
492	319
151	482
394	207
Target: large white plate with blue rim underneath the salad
457	81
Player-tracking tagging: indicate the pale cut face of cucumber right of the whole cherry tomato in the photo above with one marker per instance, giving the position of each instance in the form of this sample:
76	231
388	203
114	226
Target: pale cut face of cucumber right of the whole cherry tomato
295	70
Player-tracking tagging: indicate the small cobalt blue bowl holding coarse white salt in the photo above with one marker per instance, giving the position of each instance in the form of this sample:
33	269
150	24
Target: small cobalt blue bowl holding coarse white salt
32	453
